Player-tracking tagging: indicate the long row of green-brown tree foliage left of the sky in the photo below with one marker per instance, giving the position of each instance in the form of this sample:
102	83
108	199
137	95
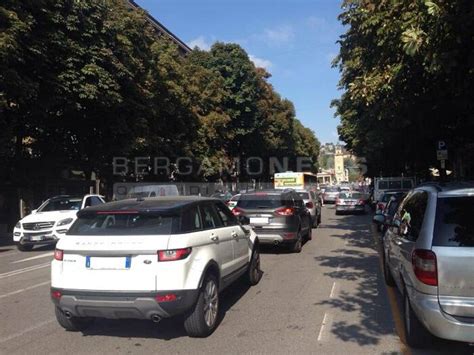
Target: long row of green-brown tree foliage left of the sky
83	81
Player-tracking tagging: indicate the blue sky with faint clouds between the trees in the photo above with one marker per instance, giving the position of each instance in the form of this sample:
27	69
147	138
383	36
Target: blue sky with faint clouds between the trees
295	40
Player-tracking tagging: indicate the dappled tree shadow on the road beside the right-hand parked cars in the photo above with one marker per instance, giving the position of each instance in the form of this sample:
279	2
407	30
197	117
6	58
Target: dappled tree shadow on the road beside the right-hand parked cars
358	265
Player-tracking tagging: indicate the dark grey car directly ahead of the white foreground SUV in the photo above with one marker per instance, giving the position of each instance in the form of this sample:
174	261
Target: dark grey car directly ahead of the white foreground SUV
277	216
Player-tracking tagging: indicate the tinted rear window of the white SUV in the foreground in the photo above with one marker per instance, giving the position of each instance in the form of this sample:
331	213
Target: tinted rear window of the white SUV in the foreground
123	224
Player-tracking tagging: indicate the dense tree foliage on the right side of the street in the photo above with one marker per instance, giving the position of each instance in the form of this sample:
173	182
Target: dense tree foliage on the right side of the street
407	75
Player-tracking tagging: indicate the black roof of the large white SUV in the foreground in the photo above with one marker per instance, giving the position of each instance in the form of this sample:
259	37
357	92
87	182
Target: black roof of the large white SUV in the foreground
148	204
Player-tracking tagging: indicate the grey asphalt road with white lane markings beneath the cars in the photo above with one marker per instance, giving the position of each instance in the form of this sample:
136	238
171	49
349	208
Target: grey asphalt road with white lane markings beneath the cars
330	299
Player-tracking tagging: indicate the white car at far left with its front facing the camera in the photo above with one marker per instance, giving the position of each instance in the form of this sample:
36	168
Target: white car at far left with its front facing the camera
47	224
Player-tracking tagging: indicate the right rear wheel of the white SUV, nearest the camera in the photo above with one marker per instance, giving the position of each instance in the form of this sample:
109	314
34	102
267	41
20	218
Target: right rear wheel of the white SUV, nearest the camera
202	320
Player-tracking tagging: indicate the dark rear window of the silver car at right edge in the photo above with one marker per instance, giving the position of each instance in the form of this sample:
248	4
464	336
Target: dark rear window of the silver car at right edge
454	226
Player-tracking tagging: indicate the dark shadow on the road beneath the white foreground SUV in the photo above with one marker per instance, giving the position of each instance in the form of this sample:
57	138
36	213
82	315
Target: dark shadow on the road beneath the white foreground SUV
167	329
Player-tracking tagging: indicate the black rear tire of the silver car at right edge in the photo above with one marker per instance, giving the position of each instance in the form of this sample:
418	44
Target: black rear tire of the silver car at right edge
416	334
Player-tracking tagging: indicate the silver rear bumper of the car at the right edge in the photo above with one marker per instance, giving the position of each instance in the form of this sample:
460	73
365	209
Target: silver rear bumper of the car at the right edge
438	322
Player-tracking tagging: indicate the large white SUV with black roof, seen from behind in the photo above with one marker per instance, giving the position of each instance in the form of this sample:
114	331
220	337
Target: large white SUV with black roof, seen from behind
151	259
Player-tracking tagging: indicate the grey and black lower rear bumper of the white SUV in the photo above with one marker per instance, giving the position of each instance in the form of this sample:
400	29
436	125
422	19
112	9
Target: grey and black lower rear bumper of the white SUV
124	305
